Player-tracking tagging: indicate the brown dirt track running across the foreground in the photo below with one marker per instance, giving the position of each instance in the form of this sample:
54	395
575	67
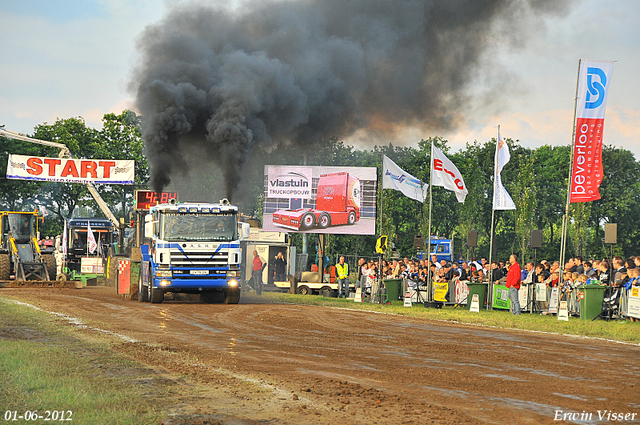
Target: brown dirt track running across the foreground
267	363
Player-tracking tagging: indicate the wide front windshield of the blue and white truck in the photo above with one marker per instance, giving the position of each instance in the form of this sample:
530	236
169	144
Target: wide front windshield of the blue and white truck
199	227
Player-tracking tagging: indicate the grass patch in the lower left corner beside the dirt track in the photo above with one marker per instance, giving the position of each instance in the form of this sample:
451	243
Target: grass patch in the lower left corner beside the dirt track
45	367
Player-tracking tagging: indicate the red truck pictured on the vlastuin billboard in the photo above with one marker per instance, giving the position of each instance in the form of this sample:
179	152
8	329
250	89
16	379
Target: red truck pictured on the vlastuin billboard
337	202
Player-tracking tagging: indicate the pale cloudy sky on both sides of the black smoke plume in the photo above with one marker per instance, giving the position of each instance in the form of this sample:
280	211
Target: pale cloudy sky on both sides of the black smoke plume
75	57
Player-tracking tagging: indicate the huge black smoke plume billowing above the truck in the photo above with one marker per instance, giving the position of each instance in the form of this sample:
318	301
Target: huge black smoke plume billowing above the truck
213	83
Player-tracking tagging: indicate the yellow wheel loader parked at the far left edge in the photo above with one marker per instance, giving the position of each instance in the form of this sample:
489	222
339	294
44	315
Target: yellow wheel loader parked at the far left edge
20	254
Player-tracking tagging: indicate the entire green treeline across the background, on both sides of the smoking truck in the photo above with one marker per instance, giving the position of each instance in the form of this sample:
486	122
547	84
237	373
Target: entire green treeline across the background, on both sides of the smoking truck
535	178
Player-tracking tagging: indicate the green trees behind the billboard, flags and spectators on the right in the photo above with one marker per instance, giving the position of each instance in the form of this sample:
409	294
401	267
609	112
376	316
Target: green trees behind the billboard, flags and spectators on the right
536	179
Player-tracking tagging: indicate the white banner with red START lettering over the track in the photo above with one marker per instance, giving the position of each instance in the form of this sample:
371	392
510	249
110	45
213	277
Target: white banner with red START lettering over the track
67	170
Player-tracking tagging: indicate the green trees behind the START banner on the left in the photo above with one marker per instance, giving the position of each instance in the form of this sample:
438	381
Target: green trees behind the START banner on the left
119	138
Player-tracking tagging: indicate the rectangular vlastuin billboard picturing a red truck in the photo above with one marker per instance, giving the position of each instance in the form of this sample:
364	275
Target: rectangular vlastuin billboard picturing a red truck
335	200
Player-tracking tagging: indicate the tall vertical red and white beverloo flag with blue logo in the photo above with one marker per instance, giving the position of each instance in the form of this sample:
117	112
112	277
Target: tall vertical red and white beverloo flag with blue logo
593	86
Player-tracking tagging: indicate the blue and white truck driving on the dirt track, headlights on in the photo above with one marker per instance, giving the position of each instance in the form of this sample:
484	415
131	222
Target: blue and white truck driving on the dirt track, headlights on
193	248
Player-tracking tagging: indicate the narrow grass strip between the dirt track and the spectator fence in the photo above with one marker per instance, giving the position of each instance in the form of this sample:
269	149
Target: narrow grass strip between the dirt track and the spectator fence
623	331
